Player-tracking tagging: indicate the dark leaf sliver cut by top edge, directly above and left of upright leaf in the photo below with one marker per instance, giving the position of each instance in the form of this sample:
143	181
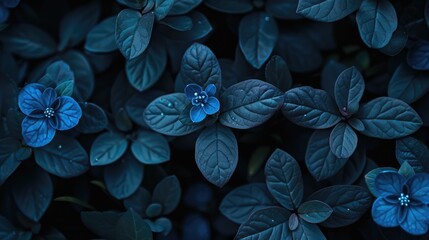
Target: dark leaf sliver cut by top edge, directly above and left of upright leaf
230	6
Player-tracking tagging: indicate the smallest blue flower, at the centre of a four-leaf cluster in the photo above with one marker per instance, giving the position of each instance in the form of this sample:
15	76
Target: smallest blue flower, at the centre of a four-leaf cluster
204	101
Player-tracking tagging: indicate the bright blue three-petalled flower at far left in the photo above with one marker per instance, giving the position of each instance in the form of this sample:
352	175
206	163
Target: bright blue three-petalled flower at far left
45	113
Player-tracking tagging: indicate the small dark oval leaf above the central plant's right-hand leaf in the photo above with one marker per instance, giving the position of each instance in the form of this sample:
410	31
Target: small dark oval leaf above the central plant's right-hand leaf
277	73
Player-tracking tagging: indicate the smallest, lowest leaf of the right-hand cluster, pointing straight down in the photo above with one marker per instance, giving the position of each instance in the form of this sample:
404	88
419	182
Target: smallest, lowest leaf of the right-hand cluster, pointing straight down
343	140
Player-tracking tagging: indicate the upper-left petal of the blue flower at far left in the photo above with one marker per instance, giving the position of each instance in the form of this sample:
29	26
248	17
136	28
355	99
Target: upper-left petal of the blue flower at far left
30	98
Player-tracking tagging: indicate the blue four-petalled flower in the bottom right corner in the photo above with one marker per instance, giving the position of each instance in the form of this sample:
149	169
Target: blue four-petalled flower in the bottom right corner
402	202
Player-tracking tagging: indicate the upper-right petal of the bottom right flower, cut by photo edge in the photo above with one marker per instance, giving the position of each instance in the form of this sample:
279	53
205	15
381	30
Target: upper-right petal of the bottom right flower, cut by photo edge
419	187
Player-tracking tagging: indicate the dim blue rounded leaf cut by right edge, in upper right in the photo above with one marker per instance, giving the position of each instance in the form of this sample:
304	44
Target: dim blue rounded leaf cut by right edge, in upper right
418	55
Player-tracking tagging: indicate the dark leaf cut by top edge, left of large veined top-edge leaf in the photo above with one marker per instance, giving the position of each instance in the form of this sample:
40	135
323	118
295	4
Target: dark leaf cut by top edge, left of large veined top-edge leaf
282	9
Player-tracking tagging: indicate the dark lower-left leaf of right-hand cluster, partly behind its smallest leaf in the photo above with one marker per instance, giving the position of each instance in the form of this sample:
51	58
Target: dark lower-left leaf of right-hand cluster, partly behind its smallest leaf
320	160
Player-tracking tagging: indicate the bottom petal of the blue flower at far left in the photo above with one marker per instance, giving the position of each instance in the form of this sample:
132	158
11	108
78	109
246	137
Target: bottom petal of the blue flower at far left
37	132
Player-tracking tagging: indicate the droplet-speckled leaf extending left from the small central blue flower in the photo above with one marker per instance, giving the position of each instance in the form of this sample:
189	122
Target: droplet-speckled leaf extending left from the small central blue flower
163	113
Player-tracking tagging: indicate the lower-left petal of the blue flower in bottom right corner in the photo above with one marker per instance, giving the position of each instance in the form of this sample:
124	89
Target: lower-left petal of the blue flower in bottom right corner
384	213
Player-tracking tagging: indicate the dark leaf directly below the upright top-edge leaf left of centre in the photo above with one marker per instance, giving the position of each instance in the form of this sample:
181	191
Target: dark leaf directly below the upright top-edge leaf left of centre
145	70
